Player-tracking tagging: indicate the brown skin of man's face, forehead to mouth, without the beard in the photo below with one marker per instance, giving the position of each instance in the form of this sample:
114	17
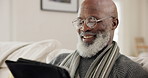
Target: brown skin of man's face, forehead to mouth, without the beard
88	35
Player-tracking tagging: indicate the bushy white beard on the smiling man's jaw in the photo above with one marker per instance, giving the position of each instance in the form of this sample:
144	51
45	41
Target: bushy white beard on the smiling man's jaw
90	50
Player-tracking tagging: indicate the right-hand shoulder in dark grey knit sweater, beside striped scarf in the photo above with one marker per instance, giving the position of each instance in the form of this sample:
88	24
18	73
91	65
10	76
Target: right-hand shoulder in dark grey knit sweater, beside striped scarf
126	68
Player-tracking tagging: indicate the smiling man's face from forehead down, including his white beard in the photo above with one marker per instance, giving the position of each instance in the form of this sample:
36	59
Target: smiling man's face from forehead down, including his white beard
92	40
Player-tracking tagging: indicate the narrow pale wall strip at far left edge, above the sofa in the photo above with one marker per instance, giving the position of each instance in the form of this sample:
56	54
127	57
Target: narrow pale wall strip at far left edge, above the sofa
4	20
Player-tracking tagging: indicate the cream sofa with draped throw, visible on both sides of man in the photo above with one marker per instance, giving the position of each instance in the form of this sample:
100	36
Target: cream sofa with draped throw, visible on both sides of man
43	51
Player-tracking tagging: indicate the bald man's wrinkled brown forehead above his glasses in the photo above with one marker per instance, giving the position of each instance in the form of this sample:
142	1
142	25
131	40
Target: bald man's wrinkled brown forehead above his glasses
94	7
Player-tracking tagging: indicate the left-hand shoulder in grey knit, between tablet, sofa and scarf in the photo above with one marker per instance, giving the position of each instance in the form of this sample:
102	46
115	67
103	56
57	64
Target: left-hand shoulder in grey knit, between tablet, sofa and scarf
57	60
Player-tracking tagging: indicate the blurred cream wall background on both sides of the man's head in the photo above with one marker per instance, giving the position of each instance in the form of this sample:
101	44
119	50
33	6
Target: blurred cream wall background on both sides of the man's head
23	20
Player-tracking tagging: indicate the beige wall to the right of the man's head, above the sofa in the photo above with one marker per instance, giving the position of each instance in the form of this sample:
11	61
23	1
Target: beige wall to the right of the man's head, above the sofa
133	24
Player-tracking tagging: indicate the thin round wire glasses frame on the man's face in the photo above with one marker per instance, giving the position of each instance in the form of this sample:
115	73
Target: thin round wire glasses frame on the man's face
98	20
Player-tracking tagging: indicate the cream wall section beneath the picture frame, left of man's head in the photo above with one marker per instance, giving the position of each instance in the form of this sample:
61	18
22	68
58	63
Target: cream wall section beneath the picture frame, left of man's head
30	23
